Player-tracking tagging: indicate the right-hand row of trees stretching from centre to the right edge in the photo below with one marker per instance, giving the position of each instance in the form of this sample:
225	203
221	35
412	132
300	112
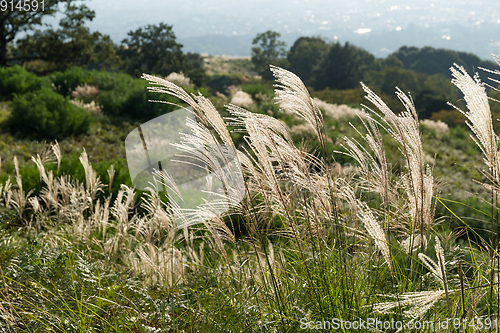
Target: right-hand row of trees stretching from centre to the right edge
324	65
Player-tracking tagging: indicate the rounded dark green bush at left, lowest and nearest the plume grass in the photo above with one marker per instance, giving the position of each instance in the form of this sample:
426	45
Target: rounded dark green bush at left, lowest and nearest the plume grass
46	114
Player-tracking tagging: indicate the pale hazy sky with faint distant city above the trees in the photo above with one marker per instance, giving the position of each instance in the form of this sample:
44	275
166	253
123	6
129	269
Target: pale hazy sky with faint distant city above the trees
332	19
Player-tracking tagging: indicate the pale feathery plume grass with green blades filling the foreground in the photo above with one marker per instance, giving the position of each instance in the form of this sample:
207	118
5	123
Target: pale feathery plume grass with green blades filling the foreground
312	239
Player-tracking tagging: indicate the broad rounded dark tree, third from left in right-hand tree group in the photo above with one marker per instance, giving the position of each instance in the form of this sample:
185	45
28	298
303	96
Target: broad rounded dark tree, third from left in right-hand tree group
343	67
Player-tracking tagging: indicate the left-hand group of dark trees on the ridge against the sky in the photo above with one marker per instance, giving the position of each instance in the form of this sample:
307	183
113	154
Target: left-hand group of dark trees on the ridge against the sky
151	49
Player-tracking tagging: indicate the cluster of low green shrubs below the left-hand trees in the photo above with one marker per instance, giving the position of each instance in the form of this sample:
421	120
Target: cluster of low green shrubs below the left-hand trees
44	112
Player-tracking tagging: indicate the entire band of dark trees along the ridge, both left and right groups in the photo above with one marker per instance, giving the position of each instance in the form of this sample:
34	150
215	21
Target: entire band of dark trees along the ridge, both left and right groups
153	49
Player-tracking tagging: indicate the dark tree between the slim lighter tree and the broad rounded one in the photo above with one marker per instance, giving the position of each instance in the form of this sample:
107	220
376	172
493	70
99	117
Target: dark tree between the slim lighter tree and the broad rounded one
304	54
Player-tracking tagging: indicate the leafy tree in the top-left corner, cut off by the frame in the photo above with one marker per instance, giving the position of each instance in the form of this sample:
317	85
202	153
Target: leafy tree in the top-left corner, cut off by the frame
12	22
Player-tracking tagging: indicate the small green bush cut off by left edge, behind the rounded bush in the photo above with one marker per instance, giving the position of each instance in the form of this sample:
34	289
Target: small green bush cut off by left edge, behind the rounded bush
17	80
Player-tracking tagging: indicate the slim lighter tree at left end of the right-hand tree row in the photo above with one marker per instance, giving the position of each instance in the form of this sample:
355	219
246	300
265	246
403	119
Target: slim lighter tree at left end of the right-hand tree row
270	51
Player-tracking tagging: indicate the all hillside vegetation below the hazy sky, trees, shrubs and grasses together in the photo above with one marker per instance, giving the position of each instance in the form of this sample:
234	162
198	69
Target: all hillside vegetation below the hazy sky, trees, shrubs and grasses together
354	202
